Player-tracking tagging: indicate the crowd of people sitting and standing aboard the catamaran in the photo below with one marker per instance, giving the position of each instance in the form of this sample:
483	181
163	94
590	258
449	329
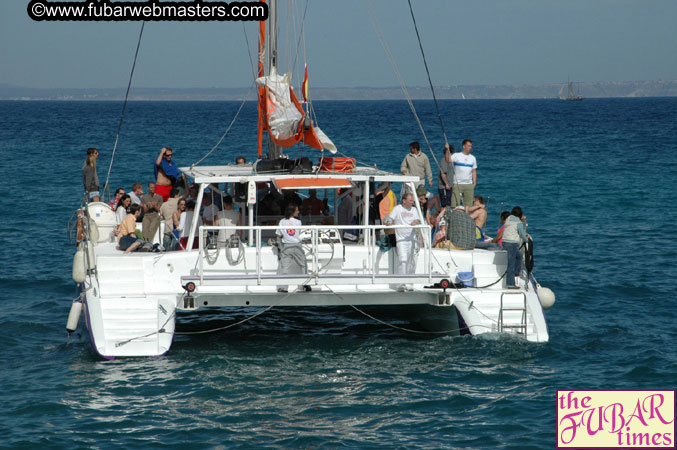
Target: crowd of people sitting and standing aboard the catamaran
458	216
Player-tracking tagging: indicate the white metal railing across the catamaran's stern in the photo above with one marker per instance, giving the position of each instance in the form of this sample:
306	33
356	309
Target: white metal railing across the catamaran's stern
317	233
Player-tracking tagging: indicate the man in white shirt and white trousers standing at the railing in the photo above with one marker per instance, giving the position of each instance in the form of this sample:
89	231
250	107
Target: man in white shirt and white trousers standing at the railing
407	243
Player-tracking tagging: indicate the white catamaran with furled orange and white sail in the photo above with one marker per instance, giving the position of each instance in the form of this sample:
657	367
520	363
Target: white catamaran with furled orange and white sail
131	303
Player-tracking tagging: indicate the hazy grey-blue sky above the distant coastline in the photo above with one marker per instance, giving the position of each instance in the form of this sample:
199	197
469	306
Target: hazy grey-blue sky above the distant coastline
465	43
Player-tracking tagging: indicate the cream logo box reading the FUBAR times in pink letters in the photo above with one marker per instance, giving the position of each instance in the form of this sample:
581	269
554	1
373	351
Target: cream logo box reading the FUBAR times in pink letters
608	418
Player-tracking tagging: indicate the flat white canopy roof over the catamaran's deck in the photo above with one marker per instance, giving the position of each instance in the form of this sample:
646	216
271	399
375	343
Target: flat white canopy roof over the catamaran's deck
242	173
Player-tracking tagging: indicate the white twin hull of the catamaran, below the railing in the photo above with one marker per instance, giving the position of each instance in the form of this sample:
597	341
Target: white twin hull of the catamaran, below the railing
131	300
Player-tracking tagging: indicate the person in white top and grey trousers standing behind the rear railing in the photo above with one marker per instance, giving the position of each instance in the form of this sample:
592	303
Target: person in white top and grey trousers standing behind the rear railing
291	255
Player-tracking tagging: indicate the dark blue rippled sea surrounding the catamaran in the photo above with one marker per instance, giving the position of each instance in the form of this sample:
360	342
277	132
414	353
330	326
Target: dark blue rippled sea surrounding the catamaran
596	179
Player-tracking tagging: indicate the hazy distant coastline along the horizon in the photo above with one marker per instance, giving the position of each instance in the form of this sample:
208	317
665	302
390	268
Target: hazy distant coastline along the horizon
602	89
